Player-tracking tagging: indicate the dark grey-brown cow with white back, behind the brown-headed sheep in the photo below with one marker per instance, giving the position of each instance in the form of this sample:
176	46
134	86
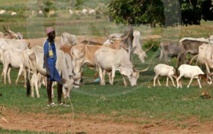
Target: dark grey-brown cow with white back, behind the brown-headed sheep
189	45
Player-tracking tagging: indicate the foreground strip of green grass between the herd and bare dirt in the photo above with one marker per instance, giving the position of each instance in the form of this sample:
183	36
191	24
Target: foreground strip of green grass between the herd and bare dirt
143	101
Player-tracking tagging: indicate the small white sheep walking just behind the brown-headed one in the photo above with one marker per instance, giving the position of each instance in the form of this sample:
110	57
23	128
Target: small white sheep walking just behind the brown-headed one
164	70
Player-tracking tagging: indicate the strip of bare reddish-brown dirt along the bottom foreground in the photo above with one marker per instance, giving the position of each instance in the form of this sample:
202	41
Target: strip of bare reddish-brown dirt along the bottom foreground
66	123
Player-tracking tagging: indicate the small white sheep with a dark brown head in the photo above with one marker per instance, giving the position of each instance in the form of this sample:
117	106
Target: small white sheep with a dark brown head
192	72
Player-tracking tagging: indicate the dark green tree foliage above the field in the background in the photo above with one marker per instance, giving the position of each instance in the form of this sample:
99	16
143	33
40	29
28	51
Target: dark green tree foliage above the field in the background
162	12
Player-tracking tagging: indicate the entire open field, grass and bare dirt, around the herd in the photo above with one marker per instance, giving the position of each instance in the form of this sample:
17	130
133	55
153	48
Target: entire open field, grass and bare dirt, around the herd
106	109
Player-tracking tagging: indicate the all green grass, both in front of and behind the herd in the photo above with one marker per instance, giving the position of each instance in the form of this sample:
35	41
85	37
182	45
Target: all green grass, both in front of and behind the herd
139	104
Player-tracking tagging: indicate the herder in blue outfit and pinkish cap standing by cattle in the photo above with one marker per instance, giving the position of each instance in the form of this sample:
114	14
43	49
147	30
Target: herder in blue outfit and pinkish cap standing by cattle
50	58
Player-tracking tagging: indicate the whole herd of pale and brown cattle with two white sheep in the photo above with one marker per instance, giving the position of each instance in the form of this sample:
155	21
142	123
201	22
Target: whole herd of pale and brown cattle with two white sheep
106	56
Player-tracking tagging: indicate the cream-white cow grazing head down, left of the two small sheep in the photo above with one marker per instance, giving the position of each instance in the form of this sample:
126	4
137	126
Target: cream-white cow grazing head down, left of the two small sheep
108	59
